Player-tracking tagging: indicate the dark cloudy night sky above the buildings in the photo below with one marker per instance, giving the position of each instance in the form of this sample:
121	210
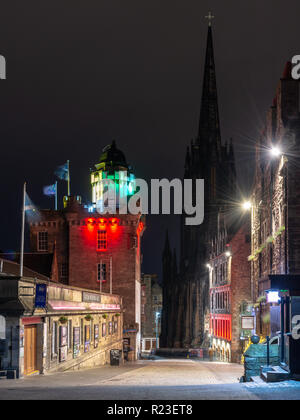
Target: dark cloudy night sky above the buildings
81	73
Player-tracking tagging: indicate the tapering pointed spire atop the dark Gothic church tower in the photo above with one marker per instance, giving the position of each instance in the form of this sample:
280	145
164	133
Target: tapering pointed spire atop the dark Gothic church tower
209	125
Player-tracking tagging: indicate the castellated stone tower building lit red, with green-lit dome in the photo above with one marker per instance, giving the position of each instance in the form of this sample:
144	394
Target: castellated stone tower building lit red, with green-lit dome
97	251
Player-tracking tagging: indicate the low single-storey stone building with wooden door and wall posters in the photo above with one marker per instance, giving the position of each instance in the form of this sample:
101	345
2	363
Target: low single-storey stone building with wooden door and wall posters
74	328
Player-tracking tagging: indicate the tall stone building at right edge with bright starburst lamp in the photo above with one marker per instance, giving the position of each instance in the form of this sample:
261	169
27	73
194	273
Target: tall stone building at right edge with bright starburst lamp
276	201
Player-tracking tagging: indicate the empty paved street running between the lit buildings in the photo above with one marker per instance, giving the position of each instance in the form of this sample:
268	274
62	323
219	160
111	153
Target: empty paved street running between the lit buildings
162	379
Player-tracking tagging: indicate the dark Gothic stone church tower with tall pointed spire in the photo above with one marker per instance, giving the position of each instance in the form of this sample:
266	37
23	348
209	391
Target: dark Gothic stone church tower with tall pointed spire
185	294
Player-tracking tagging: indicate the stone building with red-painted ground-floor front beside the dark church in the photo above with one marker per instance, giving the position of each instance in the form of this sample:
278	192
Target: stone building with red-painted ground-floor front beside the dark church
230	289
